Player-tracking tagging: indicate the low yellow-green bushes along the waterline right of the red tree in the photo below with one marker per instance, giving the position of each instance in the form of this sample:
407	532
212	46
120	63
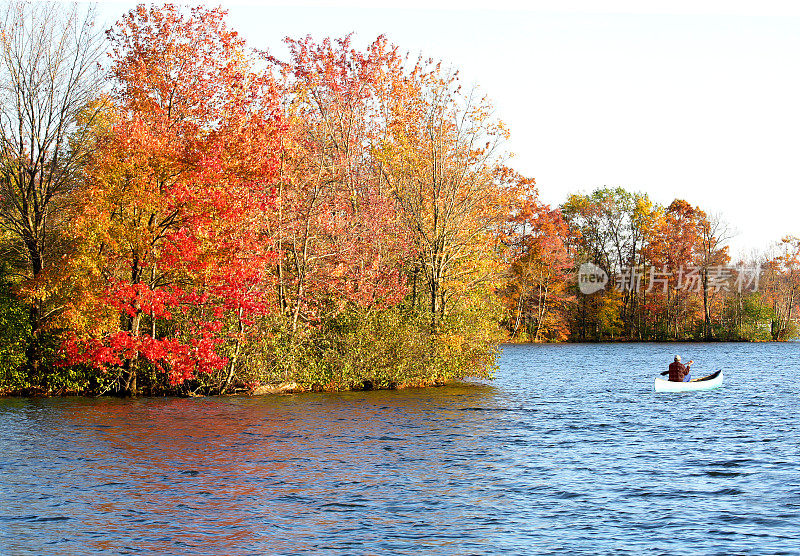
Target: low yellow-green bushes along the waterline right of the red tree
376	349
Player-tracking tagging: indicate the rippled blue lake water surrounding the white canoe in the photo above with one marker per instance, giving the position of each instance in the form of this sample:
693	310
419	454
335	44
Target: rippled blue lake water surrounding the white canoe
569	450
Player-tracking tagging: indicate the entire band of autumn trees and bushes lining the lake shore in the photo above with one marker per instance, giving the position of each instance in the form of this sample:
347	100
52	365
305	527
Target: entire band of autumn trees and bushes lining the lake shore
201	217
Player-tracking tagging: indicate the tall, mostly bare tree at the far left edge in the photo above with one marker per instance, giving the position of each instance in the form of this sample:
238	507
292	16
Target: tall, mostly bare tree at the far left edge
49	76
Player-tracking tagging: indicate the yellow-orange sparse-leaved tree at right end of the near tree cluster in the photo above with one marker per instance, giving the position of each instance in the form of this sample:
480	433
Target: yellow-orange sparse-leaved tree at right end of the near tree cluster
444	161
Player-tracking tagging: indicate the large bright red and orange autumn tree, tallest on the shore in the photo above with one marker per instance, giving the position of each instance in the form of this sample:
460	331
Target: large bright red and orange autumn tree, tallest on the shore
172	218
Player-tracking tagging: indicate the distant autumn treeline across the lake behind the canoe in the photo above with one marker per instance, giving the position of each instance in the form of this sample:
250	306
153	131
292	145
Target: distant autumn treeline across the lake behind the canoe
667	273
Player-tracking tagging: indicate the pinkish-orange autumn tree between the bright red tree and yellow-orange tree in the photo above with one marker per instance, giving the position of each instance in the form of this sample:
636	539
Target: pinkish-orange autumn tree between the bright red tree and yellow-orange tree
336	225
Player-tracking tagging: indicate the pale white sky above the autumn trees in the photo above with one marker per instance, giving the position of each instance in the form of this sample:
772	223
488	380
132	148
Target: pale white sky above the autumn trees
695	100
